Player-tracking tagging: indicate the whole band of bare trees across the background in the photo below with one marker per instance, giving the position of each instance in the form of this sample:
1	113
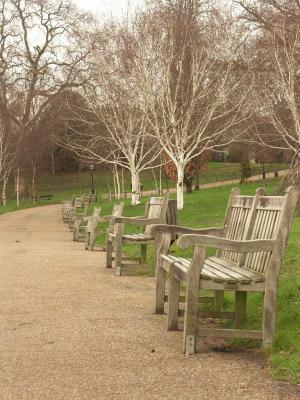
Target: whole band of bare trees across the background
167	85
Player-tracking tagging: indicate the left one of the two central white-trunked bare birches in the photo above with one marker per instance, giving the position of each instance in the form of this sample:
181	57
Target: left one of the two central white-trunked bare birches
118	131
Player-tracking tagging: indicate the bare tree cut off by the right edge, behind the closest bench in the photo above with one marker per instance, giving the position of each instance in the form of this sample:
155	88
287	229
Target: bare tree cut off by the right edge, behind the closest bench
276	61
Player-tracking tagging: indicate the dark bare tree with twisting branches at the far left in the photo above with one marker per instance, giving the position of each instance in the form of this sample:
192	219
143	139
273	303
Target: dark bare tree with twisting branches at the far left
43	53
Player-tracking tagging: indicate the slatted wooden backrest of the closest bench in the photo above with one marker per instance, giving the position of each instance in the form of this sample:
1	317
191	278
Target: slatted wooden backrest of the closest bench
259	217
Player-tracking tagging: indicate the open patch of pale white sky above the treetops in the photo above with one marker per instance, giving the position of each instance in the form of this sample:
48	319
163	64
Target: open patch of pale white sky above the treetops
107	8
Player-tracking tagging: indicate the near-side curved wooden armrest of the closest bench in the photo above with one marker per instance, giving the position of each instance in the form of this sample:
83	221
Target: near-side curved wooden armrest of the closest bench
240	246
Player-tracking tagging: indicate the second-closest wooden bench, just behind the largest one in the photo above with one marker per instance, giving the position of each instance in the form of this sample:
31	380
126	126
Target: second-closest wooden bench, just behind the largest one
156	212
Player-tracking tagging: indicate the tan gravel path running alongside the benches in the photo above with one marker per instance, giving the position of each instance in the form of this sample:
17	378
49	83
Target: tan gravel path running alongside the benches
71	330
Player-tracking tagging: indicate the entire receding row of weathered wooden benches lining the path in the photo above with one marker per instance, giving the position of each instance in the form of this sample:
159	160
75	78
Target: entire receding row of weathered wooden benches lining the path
249	252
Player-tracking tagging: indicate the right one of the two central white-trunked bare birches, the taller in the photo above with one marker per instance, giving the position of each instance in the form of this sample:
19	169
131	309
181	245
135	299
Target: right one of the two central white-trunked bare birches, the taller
192	91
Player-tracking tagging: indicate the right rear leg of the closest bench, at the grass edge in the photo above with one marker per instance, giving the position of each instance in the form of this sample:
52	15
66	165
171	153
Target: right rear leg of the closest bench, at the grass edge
269	314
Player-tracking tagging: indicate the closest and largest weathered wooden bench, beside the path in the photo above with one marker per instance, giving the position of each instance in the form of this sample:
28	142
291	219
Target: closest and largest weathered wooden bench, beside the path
250	249
